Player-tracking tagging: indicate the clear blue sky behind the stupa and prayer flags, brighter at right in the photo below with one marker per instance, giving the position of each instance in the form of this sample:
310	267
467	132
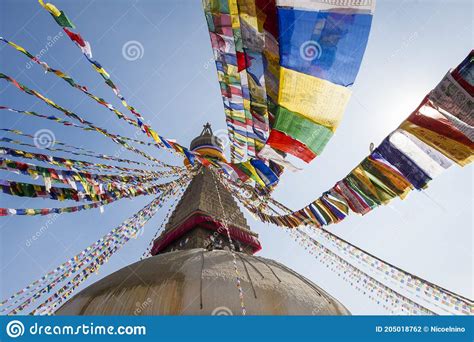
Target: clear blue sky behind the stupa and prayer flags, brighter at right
174	85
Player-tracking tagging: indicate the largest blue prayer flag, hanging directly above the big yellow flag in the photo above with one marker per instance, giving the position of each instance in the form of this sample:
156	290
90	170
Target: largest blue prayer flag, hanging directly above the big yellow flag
327	45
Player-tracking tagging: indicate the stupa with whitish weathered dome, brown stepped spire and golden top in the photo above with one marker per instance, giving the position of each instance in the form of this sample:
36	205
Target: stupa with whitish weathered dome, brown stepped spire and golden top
192	270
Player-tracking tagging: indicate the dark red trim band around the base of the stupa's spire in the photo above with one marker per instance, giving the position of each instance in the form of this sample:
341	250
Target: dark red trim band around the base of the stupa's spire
210	224
